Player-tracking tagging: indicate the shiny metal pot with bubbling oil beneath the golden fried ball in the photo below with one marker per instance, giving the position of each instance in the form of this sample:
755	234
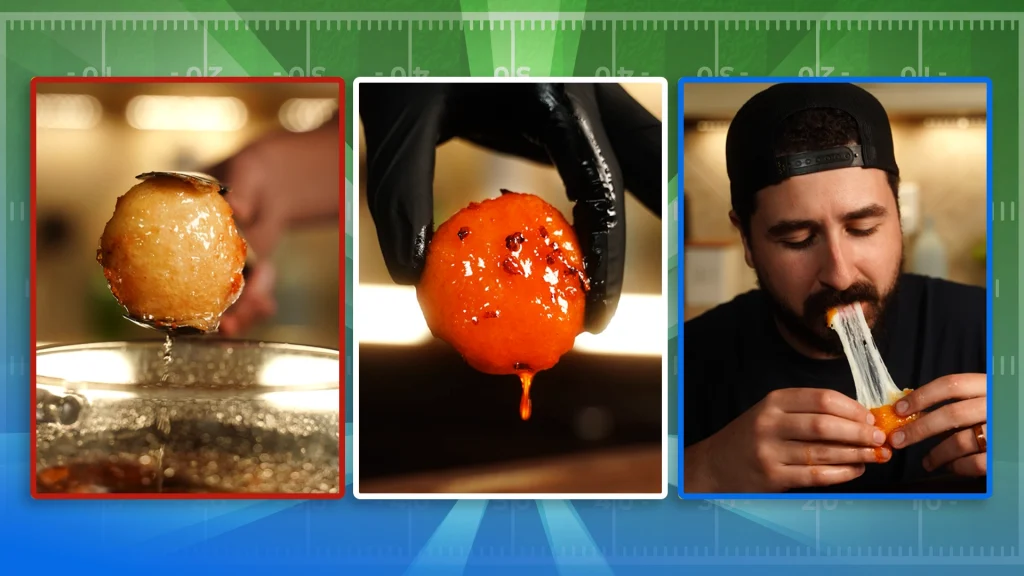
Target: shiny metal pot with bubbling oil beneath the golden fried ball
211	417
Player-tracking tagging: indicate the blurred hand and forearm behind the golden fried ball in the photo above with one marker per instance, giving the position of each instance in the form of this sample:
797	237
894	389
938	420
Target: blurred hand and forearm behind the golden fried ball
276	183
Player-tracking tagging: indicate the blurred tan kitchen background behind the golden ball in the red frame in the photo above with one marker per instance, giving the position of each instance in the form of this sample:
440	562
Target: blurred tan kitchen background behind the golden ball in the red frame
95	139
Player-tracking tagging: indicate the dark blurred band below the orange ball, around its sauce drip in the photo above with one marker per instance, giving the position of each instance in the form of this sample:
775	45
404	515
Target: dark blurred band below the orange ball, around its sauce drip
423	408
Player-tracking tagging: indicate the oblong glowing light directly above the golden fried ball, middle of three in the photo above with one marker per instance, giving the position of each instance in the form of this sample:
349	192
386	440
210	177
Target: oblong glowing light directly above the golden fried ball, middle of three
202	114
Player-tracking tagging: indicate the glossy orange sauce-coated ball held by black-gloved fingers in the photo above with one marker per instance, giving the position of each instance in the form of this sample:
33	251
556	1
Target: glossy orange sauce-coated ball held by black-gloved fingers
504	284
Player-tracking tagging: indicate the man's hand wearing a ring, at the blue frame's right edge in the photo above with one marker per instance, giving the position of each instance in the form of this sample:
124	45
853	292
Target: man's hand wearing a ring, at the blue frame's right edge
962	452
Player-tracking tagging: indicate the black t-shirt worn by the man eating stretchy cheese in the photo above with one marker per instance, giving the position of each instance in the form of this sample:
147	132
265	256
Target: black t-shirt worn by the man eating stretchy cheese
735	356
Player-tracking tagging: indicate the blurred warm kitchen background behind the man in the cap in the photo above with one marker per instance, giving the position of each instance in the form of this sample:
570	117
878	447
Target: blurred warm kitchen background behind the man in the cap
940	134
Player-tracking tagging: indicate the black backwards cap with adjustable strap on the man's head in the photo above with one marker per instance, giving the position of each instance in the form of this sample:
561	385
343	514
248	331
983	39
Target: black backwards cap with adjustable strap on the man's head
750	155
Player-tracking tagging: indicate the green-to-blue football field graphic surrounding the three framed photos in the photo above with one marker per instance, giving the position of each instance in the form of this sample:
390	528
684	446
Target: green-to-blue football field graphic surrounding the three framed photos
602	537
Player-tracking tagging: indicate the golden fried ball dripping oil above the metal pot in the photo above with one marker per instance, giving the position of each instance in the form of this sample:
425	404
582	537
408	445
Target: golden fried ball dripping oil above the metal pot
172	253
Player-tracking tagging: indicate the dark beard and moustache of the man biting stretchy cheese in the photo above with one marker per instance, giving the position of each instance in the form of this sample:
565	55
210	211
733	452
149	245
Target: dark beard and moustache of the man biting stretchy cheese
812	328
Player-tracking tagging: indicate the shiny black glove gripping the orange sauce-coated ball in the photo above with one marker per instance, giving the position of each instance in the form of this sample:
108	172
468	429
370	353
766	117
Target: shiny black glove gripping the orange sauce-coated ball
596	136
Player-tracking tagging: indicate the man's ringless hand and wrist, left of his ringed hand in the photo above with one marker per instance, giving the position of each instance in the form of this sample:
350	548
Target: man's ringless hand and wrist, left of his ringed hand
795	438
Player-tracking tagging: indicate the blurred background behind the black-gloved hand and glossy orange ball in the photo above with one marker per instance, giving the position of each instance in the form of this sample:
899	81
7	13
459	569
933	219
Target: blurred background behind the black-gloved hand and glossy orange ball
431	424
